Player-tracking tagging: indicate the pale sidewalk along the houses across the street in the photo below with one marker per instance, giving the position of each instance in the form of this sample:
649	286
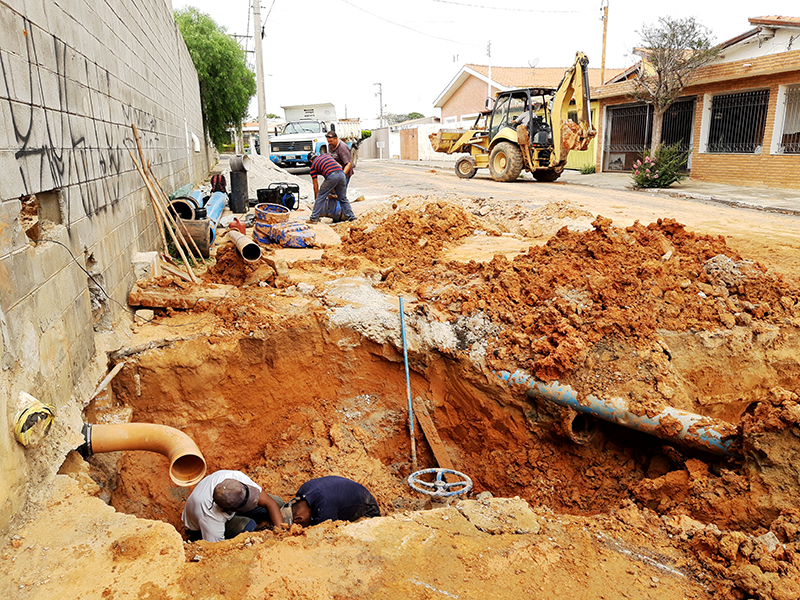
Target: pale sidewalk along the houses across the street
785	201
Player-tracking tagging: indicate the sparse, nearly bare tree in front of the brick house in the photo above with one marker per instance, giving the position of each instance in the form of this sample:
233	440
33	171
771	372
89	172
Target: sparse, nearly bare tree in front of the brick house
672	51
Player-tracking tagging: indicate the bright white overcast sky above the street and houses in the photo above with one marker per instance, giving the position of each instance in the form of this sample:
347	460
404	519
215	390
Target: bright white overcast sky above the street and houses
337	50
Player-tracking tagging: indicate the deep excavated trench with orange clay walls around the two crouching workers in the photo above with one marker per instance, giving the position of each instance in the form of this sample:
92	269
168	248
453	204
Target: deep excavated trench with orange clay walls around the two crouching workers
291	404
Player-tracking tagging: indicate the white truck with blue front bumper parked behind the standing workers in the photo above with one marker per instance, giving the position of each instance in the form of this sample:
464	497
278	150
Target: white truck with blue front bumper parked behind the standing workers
304	132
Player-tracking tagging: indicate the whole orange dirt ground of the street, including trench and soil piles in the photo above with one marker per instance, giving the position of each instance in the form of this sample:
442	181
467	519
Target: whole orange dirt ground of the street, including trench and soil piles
293	368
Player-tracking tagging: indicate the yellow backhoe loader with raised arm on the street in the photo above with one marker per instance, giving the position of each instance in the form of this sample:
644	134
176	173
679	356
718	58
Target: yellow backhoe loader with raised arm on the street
528	128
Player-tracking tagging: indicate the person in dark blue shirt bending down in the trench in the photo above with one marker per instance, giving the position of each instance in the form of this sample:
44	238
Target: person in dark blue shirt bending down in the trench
332	498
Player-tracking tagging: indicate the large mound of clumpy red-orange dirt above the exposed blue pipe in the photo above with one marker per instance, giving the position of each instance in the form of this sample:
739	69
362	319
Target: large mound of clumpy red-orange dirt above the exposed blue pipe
560	300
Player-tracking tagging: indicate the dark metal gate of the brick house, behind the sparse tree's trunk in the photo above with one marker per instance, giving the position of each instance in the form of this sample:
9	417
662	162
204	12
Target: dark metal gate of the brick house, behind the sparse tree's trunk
629	129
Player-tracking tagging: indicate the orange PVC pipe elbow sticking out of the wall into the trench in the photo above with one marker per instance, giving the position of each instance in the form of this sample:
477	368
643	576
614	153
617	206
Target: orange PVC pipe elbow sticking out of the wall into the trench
186	463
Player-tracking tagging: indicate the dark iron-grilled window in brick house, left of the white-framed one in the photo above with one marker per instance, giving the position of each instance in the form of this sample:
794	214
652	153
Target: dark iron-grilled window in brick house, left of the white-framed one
738	122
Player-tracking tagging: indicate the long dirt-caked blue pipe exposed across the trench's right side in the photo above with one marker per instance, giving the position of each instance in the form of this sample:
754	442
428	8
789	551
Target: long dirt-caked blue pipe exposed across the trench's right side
697	431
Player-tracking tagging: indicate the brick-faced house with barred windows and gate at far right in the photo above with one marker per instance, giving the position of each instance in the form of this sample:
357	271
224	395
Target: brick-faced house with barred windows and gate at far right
739	118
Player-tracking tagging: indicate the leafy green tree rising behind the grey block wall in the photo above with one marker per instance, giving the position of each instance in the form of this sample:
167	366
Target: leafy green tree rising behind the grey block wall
226	84
